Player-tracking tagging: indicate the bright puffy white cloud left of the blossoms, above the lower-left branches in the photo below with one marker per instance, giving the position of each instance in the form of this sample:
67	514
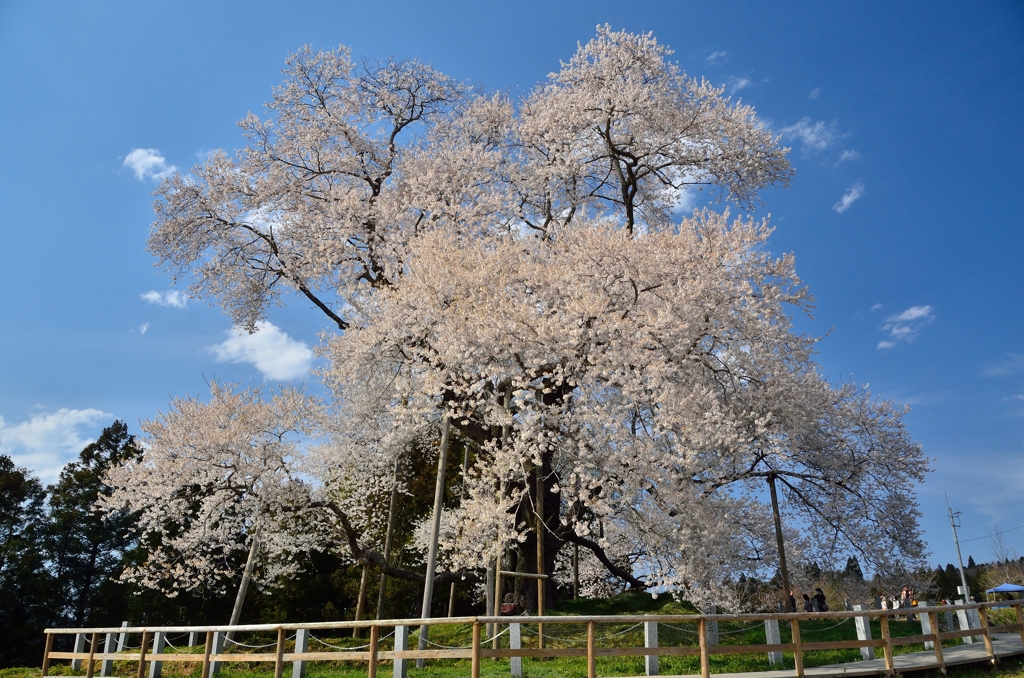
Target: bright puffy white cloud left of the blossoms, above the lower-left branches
273	352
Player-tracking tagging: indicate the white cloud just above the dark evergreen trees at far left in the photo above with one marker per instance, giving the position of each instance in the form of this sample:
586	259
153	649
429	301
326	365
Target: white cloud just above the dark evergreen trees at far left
47	443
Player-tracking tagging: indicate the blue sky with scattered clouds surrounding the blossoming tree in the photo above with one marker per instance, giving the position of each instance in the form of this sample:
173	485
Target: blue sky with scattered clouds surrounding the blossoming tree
905	216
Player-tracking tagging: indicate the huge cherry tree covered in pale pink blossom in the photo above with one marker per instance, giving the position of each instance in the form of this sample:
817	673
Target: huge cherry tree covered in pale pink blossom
626	380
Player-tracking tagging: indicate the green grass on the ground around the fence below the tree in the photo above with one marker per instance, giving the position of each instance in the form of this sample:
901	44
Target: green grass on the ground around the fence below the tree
574	635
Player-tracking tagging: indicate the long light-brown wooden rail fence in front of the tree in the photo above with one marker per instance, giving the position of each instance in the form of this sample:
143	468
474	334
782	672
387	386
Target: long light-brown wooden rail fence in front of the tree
152	641
